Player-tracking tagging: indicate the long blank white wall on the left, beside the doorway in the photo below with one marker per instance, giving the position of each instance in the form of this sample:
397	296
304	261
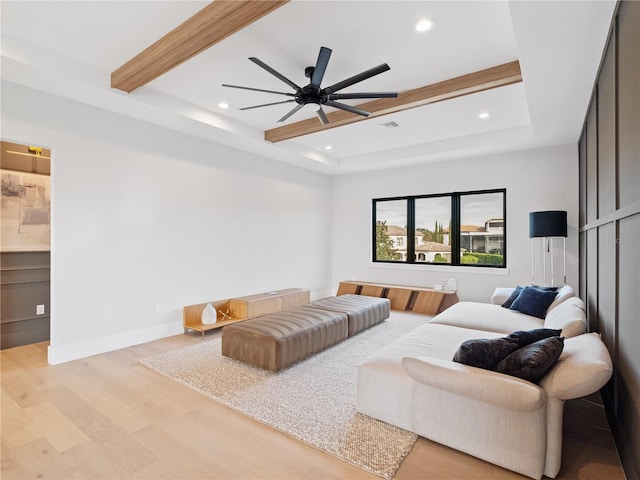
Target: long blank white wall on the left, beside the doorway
143	215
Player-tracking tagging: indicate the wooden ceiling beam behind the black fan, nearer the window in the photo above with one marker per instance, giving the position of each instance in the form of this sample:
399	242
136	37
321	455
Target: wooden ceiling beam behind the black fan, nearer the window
475	82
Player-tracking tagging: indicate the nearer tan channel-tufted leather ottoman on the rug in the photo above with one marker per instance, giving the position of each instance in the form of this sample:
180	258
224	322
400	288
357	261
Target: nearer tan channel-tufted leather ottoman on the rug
279	339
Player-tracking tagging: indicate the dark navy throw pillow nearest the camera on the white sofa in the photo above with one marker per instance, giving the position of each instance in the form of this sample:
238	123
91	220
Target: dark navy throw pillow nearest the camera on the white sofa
533	361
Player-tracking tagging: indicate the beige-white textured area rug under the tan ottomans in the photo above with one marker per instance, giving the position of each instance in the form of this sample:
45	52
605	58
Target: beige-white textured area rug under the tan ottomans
314	400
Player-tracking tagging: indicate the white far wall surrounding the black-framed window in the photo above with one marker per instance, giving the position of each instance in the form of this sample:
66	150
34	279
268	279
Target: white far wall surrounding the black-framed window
541	179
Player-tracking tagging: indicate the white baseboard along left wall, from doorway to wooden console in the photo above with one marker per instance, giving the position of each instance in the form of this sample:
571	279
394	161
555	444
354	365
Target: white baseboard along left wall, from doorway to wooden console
75	351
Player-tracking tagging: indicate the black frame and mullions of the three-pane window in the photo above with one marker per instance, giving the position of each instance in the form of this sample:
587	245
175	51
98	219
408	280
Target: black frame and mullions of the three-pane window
454	231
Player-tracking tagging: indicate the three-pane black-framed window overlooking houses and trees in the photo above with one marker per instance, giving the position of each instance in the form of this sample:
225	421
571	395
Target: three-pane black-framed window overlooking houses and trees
465	228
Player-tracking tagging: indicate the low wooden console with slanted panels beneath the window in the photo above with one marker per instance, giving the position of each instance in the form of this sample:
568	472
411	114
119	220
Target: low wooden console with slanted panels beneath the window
405	298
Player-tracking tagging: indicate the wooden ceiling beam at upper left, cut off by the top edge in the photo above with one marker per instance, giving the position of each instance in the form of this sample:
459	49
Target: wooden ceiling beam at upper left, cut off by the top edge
213	23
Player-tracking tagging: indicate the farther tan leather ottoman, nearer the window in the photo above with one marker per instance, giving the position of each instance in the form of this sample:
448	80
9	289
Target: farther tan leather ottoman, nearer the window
362	311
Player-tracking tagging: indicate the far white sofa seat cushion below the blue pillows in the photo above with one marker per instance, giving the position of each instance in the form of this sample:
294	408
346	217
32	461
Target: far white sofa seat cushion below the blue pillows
486	317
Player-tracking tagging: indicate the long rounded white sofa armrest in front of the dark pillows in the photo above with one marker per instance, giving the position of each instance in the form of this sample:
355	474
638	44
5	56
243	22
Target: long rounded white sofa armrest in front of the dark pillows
486	386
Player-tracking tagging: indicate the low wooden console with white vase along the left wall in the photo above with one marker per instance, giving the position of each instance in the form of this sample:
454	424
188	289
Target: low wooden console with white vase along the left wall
243	308
